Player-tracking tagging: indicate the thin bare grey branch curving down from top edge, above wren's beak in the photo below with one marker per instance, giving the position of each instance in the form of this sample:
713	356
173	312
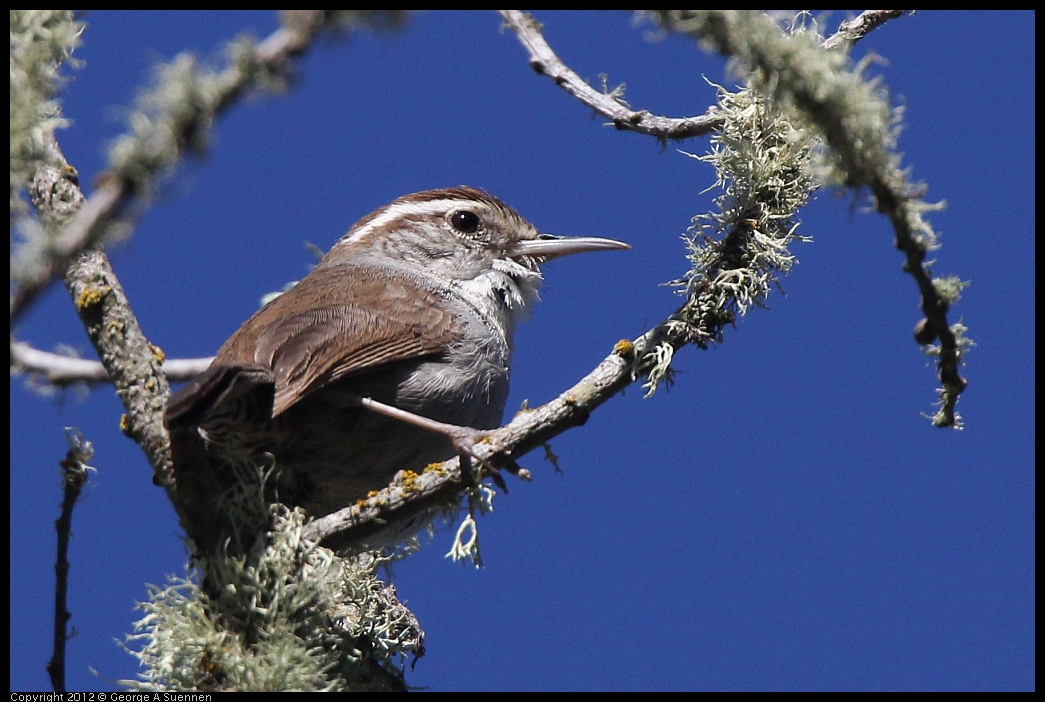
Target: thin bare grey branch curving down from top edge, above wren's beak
545	62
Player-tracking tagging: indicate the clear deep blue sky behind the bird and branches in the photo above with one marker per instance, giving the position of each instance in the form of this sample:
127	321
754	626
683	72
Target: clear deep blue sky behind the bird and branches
784	519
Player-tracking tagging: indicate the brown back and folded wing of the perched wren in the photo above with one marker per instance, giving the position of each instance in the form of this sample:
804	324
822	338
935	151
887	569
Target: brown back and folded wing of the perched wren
329	327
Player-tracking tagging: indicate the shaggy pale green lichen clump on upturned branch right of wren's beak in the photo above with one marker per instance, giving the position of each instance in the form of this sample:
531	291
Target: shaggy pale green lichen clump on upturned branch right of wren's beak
738	250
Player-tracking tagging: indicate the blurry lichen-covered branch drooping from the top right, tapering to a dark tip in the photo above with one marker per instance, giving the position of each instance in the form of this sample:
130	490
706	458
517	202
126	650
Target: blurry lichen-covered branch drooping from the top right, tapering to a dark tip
855	120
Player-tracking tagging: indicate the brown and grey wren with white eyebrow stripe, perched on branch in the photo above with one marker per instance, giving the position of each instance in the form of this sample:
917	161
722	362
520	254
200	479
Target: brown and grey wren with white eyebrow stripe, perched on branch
414	309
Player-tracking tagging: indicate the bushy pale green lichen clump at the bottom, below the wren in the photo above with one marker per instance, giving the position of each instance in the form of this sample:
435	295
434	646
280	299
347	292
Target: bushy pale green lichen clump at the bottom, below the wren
288	616
